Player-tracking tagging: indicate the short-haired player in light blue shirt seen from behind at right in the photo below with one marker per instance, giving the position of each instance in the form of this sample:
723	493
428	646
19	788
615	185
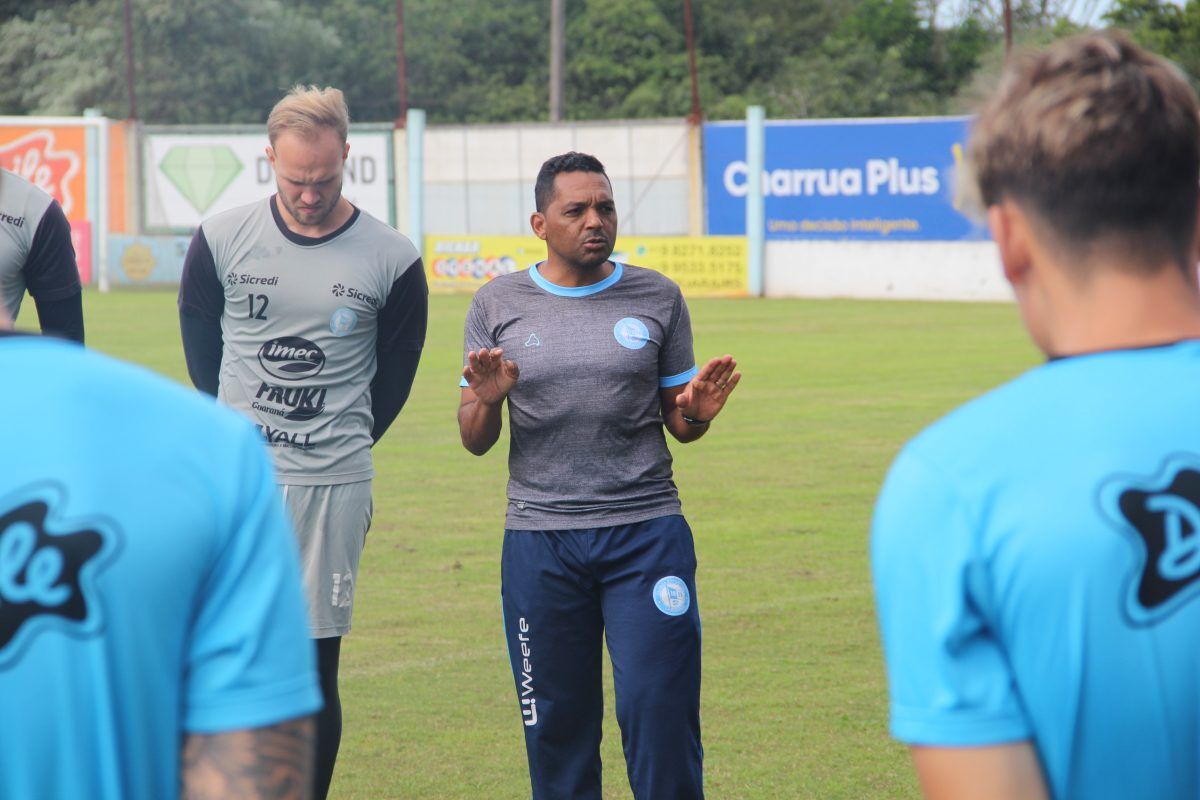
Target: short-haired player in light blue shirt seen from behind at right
1037	552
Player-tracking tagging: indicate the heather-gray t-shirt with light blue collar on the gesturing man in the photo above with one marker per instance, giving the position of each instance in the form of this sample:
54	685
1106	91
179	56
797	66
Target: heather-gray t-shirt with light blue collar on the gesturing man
585	417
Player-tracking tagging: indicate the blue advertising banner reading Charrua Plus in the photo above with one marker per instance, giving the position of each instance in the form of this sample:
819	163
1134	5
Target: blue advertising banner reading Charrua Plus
862	179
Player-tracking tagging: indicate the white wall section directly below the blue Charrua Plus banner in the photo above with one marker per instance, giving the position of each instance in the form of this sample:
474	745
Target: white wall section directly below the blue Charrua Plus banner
885	270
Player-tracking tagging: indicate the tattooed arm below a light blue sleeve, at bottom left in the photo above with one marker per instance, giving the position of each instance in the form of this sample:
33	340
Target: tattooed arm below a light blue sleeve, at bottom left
260	765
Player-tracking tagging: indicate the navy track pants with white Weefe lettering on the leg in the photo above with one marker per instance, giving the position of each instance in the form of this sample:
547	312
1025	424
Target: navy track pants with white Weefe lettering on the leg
634	586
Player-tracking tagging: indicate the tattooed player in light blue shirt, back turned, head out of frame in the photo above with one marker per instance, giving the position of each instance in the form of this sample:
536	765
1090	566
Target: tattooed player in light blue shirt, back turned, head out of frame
153	630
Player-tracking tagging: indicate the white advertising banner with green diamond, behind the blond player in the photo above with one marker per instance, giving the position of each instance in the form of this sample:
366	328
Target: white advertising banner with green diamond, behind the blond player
191	177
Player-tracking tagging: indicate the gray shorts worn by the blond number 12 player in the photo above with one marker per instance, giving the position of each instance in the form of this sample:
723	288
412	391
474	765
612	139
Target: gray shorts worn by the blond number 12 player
332	526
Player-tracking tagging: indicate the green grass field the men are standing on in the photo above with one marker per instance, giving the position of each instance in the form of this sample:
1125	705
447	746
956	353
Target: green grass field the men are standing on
779	496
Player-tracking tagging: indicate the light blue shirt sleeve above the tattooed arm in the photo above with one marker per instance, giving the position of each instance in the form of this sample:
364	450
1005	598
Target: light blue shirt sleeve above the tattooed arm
251	663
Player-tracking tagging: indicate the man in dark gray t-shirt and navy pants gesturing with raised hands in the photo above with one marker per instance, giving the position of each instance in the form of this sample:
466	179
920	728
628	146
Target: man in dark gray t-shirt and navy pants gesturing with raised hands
595	359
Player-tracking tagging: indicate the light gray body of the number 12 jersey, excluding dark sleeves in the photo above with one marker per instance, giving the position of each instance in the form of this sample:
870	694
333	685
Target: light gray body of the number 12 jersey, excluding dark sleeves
299	327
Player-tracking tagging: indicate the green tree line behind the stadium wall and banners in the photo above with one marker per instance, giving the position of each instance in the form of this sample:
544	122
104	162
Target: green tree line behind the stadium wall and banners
488	62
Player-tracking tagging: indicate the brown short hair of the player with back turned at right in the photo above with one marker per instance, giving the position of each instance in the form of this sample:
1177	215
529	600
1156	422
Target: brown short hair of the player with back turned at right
1100	141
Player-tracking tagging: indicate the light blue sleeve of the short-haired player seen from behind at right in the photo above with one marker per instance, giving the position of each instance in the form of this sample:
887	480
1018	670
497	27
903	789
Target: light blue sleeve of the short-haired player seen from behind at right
949	675
